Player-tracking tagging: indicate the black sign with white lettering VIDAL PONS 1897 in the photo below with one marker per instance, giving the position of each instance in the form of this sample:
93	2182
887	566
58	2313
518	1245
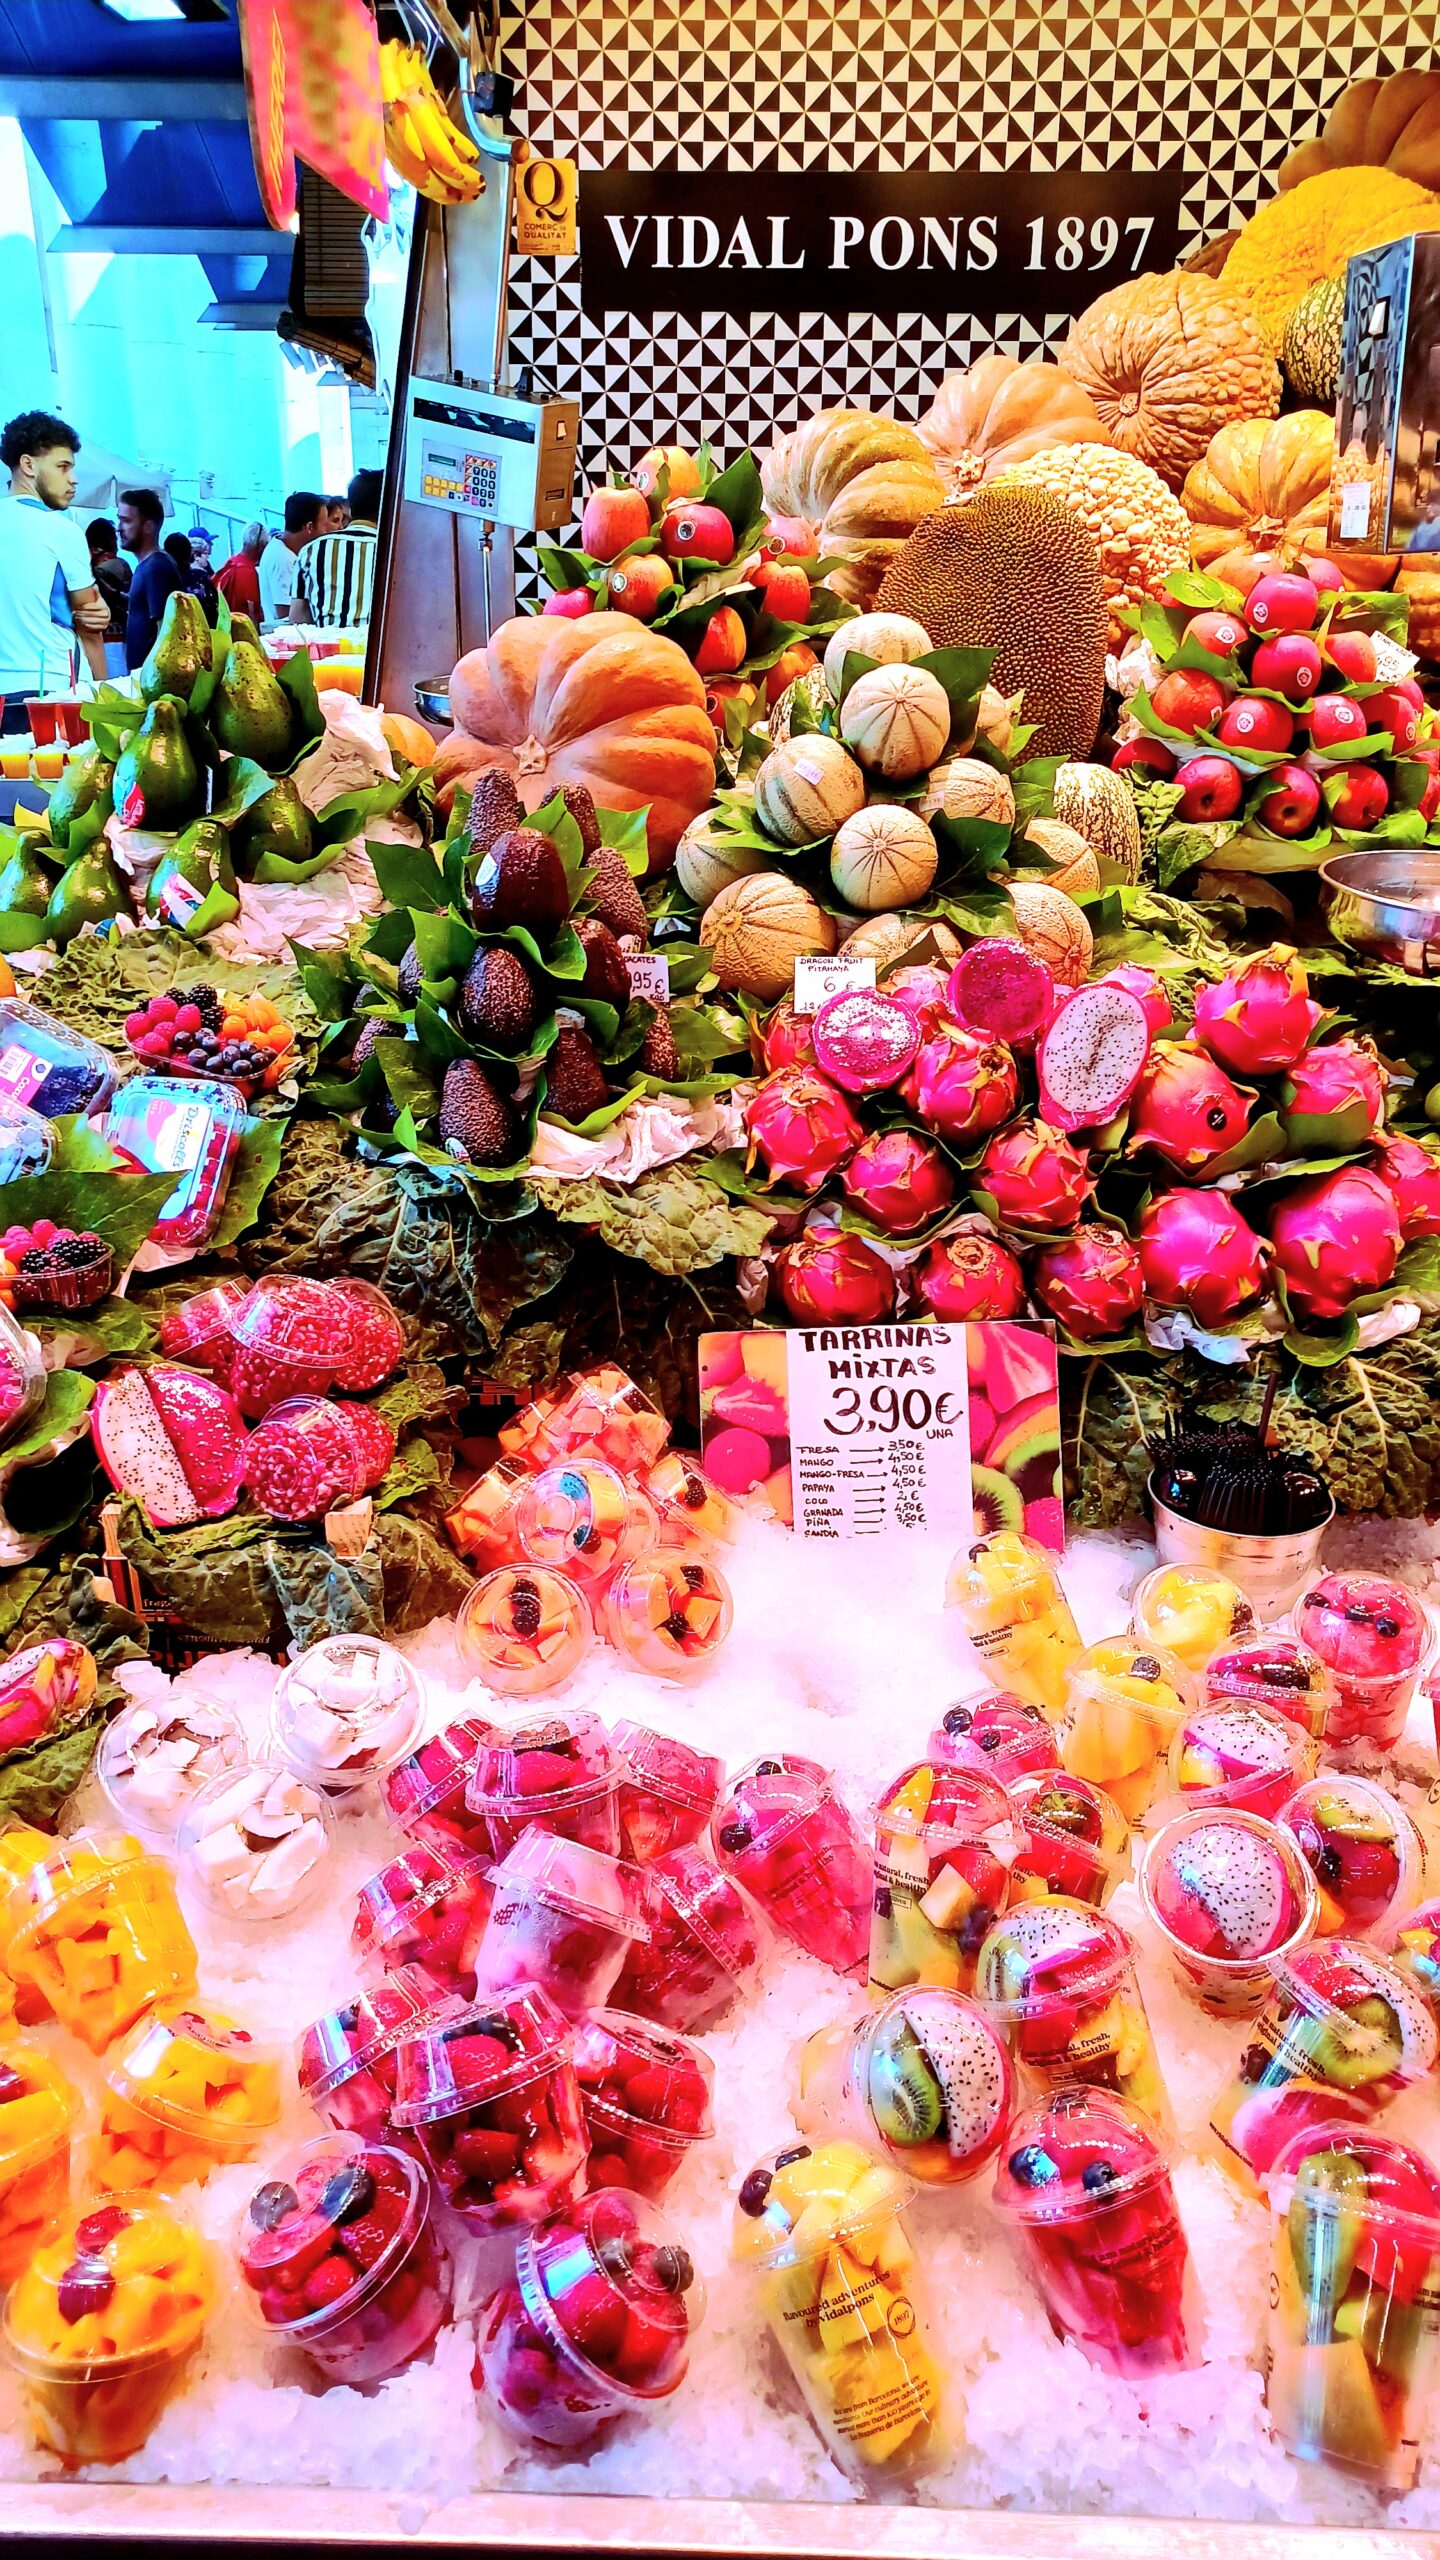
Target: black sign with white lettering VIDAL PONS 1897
967	242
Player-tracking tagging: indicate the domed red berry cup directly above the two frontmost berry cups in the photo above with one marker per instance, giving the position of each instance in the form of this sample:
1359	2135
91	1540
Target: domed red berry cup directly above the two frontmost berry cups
493	2106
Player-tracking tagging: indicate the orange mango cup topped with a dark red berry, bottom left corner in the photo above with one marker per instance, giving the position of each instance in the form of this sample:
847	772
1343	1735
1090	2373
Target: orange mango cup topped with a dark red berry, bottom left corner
104	2326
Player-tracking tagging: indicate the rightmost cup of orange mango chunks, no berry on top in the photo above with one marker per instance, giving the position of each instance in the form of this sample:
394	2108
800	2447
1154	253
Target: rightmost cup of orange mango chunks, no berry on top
186	2093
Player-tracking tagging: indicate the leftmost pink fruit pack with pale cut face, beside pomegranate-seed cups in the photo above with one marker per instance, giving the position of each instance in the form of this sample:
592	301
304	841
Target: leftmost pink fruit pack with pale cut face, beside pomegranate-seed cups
173	1440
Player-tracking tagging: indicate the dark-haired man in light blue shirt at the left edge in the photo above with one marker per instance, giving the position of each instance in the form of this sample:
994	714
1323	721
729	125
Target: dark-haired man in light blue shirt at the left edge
47	582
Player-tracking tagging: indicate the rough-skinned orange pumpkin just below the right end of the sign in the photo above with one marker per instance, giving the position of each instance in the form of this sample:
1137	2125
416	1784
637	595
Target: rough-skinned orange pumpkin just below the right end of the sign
1170	362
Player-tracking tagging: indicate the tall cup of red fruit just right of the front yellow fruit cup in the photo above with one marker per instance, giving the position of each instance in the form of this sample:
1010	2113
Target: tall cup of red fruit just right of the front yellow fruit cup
1088	2195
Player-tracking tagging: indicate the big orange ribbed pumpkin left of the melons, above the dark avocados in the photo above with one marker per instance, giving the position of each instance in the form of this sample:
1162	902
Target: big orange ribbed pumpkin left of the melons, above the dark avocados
601	703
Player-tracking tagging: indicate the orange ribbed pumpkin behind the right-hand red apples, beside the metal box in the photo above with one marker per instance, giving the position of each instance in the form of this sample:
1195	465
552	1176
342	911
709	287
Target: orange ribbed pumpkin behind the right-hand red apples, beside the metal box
1264	490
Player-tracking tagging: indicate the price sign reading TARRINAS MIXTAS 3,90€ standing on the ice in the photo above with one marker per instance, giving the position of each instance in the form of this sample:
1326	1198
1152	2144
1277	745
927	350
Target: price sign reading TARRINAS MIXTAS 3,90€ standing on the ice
862	1432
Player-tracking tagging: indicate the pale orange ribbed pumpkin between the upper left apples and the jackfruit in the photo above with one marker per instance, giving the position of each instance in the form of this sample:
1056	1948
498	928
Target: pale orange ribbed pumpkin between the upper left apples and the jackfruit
862	483
